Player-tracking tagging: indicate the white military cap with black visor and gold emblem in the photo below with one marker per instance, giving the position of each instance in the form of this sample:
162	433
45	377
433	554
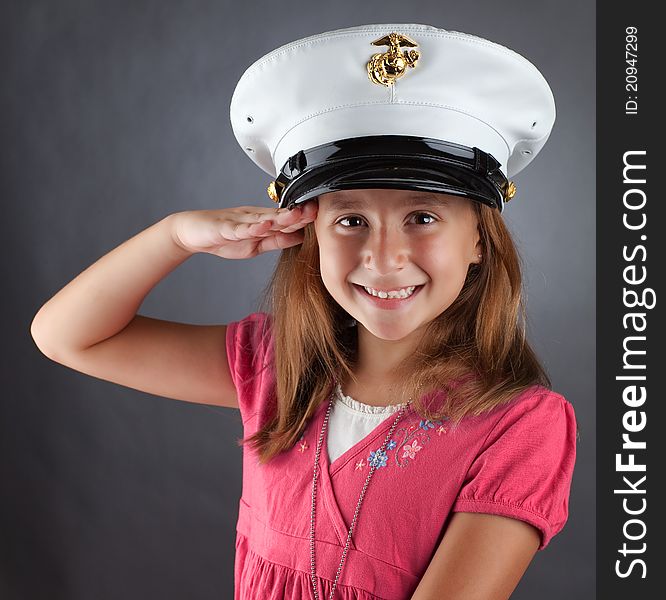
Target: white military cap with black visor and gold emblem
392	106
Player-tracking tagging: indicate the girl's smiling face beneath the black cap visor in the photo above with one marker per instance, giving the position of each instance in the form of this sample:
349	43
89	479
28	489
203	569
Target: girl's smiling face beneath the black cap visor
416	243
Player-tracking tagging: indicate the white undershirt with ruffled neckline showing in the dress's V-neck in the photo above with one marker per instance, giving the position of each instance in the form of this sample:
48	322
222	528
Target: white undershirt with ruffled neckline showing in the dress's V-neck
350	421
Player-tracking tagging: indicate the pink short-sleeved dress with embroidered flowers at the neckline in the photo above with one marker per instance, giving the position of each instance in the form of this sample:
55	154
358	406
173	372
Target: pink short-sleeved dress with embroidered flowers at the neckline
516	460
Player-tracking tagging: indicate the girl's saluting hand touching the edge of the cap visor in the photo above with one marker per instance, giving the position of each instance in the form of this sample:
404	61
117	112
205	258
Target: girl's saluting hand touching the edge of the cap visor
243	231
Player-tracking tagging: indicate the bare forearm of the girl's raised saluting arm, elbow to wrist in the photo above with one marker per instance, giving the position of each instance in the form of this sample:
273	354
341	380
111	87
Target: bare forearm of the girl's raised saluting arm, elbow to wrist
105	297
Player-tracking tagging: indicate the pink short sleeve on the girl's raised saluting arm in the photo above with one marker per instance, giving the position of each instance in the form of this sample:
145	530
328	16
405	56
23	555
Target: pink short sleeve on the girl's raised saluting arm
249	350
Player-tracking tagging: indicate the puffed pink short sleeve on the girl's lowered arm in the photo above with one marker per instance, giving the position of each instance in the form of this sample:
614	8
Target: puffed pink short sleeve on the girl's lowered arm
525	466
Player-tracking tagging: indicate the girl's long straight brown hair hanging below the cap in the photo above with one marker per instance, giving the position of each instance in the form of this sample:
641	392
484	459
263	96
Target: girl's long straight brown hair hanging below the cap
474	356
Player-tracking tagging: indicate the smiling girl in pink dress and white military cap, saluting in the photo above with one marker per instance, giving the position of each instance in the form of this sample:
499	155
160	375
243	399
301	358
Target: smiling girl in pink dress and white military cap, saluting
401	439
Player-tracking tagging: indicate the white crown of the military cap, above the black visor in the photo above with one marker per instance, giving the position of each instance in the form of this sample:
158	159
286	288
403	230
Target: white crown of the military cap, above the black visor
461	89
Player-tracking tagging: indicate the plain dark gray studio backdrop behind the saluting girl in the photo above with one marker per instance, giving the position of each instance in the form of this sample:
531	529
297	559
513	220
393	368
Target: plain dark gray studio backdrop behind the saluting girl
115	114
